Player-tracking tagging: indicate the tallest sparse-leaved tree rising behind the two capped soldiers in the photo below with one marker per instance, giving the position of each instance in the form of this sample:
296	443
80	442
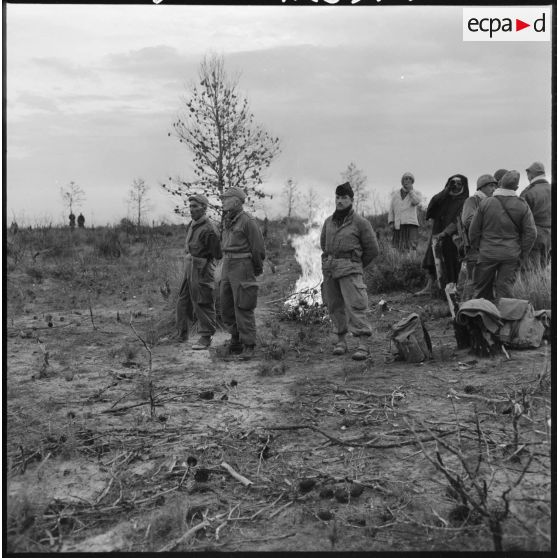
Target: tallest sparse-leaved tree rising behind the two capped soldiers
228	147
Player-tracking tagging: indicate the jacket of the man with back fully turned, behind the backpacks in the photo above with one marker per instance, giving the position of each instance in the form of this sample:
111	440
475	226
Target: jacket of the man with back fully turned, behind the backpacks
499	236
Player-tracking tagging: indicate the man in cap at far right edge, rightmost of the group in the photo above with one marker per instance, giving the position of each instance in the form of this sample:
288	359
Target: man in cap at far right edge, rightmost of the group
538	198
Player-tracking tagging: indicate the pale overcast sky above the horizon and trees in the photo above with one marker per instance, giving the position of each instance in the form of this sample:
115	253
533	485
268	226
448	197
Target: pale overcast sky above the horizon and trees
92	91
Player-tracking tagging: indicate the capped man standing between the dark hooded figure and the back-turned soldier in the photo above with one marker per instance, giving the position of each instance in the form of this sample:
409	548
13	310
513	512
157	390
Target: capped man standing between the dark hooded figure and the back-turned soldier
486	184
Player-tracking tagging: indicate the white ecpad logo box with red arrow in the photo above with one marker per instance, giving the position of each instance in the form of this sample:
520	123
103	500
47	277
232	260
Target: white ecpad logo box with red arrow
507	24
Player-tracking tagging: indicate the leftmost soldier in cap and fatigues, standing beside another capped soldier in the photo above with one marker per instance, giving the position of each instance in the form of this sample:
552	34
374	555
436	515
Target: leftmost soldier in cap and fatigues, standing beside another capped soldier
196	299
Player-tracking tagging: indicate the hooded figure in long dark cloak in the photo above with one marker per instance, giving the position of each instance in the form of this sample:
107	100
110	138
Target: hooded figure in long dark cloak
444	209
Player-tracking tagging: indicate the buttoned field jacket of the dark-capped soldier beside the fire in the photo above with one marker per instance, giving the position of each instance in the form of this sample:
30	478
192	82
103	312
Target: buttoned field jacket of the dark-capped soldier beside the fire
349	247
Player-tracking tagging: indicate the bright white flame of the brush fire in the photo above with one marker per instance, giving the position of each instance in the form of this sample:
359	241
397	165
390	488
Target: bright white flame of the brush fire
307	291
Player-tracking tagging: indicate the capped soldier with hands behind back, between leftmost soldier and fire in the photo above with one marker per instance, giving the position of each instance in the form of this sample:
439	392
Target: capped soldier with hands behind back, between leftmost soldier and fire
243	256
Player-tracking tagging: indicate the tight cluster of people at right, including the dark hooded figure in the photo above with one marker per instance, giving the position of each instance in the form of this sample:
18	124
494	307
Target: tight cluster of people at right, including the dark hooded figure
485	239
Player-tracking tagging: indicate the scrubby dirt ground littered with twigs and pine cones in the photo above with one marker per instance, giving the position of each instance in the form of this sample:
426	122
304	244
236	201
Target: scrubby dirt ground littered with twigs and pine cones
118	437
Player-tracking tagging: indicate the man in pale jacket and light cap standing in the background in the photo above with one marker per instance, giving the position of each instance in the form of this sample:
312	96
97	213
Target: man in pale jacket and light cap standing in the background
402	216
